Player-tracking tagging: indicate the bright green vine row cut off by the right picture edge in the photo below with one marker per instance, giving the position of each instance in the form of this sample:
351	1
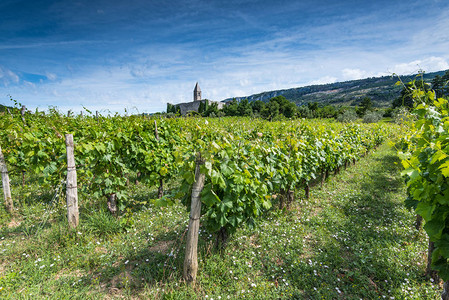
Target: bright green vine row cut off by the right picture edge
425	157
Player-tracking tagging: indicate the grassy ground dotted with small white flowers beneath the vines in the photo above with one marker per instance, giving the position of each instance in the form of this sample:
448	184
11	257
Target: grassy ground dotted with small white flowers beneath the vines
353	239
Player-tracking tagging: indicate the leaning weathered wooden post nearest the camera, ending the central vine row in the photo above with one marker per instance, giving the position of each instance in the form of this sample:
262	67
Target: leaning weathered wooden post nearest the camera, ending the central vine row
191	257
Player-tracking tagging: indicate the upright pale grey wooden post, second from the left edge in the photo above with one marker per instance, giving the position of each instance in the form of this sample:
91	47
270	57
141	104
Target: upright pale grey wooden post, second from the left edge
71	186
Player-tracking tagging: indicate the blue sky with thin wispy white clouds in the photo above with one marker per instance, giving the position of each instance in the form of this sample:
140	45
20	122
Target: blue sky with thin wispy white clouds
137	55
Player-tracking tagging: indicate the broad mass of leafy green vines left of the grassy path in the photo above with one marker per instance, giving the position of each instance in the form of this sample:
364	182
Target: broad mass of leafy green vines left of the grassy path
245	163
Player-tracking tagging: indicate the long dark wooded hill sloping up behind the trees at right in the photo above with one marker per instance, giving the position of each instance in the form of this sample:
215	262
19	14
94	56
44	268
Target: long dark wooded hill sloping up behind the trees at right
382	91
